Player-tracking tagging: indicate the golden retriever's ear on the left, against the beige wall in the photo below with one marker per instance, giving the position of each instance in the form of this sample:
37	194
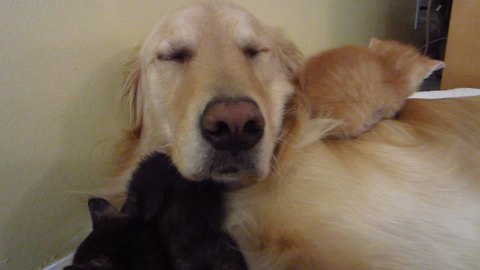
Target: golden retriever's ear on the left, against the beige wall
132	91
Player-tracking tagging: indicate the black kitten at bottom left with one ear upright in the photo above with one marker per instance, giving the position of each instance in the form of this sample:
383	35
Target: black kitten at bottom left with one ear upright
119	242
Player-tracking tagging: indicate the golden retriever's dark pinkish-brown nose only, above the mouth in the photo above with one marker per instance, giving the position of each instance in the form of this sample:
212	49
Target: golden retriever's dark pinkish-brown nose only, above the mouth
232	124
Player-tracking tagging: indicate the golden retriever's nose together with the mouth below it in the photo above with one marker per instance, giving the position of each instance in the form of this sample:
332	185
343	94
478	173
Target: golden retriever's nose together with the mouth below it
232	127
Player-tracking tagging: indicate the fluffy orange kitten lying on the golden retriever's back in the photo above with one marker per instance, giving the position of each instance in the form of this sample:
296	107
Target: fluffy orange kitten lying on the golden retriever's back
360	86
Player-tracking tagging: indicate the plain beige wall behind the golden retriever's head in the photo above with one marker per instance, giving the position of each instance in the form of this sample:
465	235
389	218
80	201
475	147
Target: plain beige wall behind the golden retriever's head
60	74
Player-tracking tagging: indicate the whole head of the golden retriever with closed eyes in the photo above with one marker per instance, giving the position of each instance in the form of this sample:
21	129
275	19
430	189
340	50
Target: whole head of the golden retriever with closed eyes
209	88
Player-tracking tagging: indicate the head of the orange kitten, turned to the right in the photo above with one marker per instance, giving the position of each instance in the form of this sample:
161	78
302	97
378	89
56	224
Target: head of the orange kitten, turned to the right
404	61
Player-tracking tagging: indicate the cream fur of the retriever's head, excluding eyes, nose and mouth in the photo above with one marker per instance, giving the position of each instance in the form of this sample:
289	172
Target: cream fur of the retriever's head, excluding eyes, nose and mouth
168	97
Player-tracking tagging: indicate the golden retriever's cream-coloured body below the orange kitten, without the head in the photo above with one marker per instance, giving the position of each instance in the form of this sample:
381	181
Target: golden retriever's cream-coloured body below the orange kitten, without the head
404	196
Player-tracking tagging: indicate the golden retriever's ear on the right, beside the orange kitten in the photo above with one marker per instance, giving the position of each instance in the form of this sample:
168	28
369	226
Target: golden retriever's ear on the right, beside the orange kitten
288	52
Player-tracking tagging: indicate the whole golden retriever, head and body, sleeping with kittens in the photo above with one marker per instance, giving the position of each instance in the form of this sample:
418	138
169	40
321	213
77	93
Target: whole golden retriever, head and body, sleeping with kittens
216	90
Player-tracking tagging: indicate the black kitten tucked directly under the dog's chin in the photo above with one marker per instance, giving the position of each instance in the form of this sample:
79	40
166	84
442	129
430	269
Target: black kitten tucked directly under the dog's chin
189	215
